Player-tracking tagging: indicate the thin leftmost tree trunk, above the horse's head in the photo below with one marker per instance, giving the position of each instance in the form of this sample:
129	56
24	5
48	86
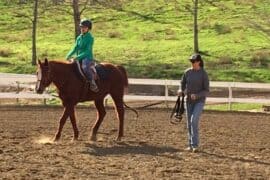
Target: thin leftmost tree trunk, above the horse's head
34	28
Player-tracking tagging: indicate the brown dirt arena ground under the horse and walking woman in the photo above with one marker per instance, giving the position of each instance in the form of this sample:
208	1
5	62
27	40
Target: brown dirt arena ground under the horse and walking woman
233	146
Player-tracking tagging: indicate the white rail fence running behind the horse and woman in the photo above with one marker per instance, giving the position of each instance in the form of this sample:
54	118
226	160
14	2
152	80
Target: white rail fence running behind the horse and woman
20	80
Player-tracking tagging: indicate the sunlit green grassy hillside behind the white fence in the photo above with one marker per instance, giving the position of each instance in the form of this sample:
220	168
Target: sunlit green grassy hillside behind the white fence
151	38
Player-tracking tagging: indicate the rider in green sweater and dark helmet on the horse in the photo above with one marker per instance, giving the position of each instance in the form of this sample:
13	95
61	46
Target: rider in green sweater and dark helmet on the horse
84	50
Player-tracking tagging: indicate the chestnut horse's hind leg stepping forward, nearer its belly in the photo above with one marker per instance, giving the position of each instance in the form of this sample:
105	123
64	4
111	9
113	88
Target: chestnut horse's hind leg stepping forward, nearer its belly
100	116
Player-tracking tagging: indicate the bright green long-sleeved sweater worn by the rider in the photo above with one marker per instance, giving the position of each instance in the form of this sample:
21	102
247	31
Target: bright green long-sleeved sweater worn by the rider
83	47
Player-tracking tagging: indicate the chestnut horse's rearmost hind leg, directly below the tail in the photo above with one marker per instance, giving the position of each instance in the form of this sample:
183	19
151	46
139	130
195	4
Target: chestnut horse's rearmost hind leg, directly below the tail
119	105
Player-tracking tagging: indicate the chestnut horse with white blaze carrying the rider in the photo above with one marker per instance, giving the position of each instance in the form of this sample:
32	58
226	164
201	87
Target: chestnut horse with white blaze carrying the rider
72	90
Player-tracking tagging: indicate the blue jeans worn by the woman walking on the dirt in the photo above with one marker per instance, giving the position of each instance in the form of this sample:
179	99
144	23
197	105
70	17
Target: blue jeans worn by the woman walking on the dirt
194	111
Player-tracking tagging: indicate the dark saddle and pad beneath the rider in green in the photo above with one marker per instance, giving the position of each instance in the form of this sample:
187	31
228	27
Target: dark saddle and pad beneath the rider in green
99	71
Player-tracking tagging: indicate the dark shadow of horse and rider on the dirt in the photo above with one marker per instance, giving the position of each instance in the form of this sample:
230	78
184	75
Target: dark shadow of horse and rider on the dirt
122	148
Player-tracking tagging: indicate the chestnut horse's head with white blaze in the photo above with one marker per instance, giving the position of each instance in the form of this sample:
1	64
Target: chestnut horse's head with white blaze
43	76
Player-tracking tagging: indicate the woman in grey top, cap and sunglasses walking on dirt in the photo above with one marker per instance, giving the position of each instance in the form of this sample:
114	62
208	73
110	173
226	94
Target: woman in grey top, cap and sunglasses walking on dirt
195	85
